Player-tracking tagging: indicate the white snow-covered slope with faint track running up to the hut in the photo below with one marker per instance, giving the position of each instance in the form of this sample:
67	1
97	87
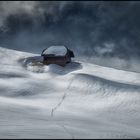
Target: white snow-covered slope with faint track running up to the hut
81	100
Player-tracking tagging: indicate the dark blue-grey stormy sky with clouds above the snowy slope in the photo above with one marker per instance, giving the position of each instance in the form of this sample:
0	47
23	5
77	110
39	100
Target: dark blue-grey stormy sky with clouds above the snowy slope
91	28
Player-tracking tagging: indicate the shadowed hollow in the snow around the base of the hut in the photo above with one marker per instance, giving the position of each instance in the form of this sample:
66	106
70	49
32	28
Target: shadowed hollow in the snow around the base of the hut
34	64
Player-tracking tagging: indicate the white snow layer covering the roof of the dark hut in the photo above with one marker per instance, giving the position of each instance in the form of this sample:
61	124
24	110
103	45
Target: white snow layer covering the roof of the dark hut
56	50
